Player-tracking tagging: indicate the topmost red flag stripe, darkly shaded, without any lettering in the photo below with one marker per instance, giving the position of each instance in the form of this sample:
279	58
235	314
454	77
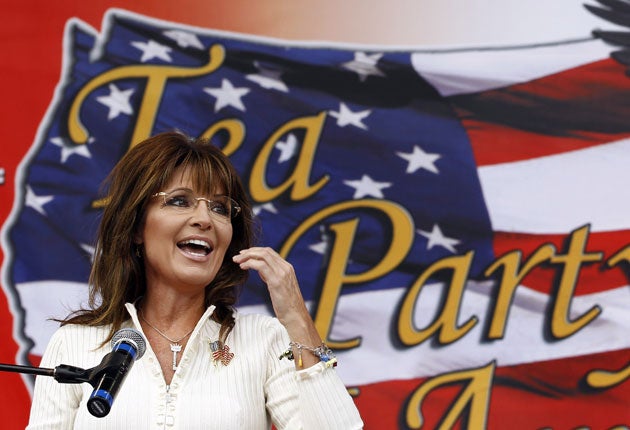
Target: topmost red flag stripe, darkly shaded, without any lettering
574	109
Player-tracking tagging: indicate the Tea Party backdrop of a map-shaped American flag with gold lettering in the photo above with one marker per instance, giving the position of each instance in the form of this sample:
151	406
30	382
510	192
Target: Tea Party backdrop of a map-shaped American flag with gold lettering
457	217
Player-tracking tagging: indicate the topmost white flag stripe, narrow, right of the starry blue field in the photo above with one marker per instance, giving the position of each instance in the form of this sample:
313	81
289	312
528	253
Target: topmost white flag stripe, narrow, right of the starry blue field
472	71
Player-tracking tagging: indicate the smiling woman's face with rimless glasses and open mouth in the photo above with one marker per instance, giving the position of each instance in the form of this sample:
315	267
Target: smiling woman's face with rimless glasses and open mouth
183	248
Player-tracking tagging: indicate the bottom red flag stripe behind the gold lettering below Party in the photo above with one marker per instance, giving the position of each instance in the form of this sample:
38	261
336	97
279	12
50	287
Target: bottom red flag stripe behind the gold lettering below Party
532	396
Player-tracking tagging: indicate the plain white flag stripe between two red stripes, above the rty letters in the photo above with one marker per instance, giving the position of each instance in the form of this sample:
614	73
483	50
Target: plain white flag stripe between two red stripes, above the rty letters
559	193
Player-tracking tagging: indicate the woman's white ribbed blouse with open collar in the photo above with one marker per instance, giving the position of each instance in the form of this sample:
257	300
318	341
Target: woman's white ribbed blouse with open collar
253	391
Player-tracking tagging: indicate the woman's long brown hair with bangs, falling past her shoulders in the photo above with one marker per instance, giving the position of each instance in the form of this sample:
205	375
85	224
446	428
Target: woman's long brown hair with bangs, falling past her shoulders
118	274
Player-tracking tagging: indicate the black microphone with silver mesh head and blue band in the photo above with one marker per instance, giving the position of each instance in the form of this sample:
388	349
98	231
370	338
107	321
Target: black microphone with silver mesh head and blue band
128	345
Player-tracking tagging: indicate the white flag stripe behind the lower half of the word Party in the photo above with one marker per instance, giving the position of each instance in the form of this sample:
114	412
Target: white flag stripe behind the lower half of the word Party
371	316
